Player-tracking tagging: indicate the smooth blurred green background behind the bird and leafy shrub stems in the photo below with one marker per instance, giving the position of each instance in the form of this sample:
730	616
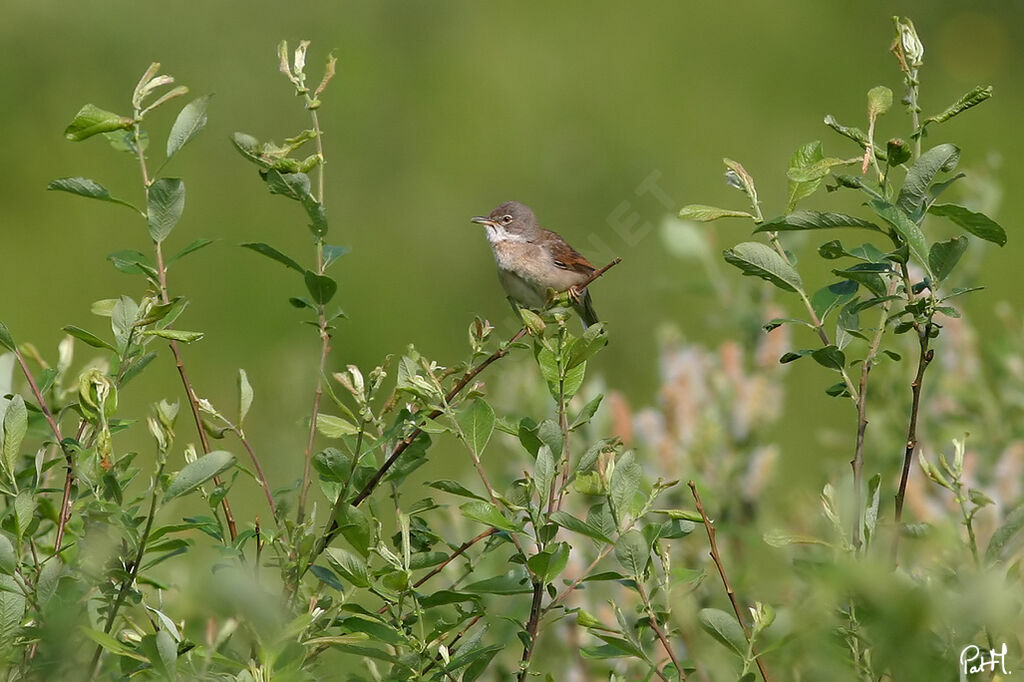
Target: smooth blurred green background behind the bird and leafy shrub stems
441	111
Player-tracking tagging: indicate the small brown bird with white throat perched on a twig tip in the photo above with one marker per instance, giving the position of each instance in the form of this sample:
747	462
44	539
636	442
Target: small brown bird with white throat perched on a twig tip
532	261
